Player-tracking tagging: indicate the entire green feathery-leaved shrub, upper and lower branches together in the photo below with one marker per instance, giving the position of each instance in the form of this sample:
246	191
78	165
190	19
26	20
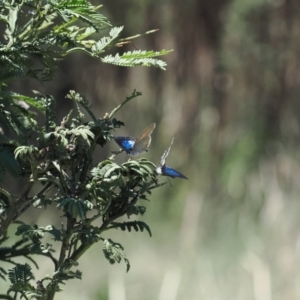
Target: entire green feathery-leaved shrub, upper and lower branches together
58	162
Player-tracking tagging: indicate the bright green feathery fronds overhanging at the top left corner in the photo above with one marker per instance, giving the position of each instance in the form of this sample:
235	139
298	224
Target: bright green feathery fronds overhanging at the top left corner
40	33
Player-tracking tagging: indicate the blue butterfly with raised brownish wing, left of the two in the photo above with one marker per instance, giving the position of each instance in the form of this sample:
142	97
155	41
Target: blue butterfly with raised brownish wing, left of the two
135	146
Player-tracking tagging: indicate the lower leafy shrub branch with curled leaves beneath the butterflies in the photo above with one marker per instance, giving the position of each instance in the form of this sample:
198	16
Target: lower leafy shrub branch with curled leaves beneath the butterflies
62	161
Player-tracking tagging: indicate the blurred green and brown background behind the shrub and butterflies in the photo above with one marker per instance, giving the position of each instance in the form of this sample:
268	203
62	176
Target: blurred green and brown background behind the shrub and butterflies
230	97
